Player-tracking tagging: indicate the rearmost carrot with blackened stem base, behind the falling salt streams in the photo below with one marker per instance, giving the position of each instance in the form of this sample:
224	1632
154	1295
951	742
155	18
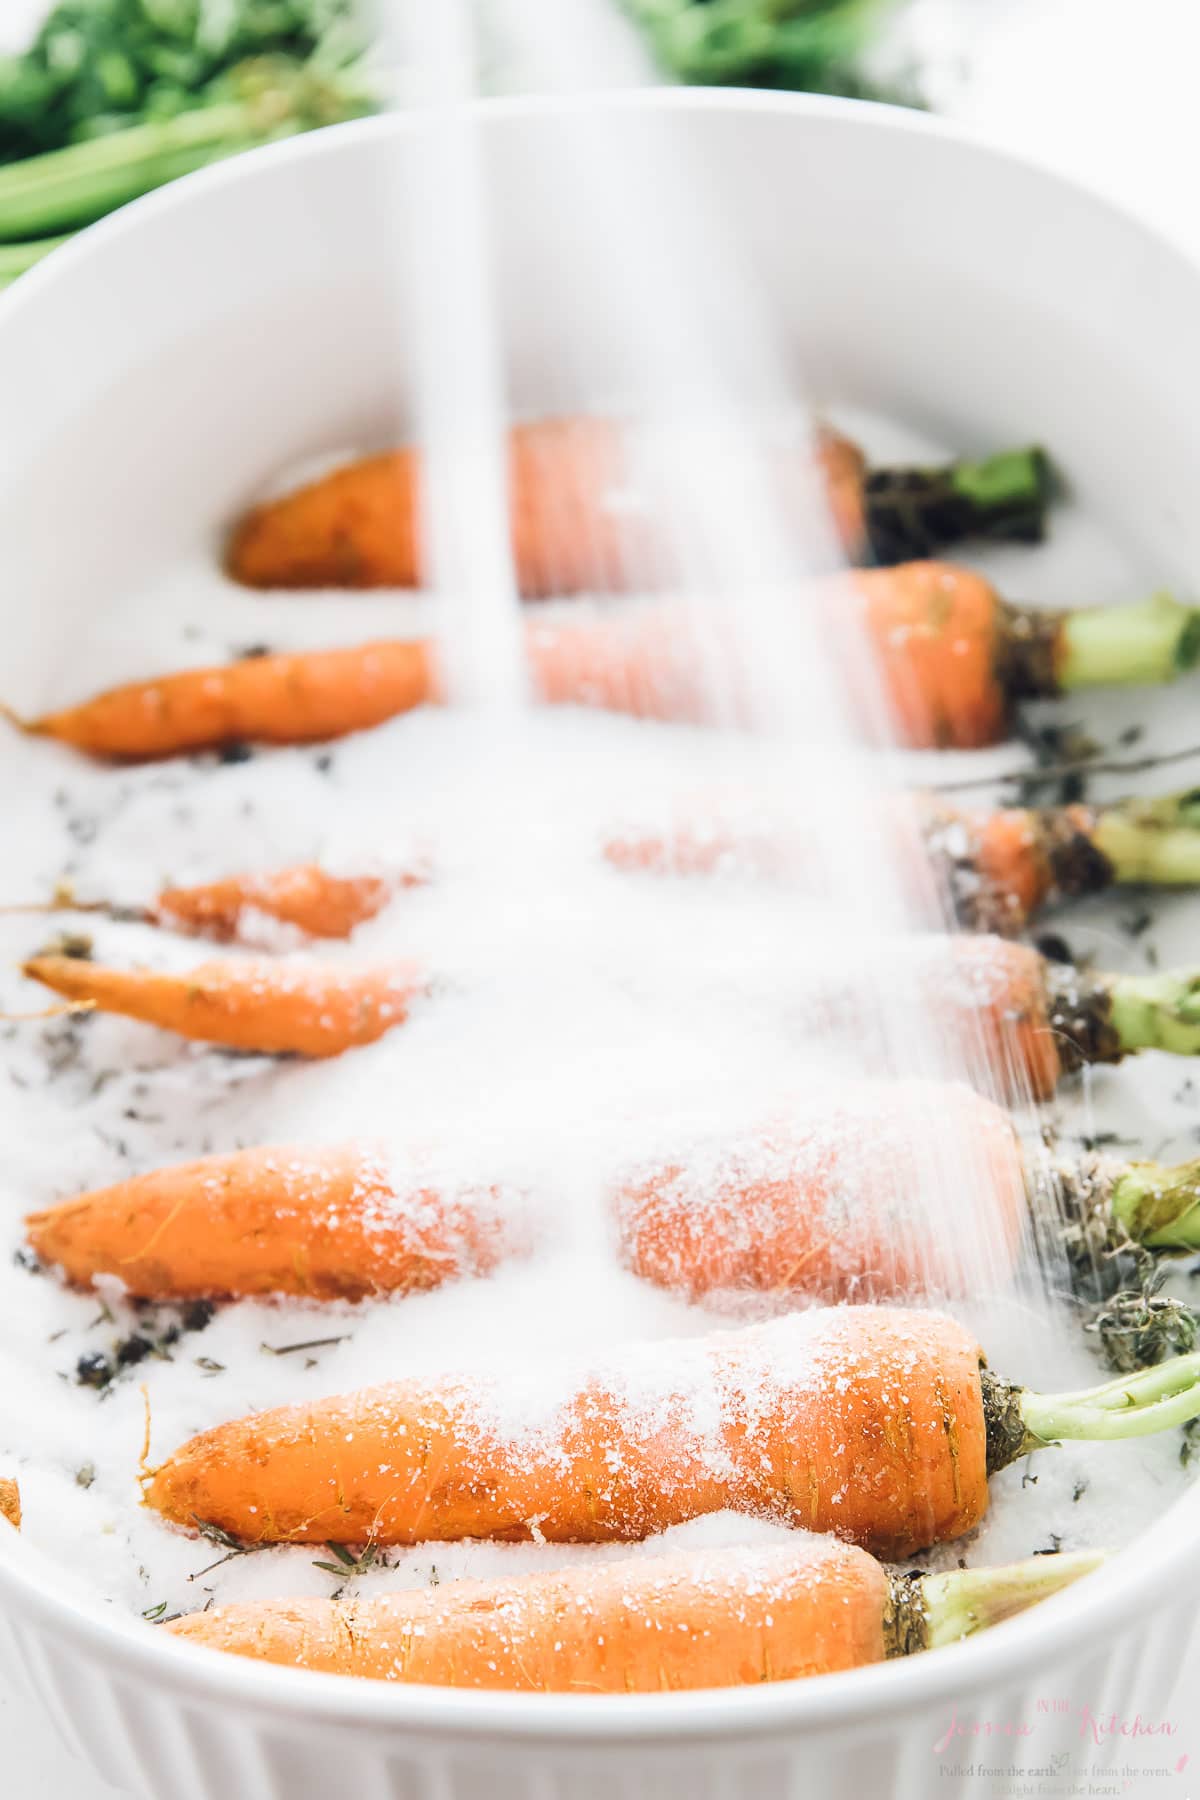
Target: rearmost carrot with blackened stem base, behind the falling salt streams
359	525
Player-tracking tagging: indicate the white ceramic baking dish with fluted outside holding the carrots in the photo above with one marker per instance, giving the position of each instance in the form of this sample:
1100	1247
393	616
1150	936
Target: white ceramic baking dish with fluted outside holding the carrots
154	373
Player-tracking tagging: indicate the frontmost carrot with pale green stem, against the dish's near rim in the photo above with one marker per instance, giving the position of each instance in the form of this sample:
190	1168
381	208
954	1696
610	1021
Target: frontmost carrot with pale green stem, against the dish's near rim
686	1621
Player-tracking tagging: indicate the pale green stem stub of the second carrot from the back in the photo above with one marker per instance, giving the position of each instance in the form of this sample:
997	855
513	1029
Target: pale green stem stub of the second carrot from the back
1140	645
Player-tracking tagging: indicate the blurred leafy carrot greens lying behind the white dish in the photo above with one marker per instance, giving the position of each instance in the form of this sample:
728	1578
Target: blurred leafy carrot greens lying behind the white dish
116	98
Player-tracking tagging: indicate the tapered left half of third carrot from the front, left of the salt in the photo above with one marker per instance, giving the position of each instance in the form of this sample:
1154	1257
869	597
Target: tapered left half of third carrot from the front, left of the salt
323	1225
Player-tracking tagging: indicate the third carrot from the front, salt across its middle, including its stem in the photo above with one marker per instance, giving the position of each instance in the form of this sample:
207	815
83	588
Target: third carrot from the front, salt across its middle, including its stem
818	1201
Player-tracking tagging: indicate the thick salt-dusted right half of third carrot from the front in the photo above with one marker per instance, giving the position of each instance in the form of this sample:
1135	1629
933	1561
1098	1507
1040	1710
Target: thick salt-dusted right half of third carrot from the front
825	1201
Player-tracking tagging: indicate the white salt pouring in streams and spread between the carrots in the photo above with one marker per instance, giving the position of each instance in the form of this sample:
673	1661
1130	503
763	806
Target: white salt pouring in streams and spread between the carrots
580	1021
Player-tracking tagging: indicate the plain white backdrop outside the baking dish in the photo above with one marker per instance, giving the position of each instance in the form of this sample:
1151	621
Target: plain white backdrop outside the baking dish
1104	89
